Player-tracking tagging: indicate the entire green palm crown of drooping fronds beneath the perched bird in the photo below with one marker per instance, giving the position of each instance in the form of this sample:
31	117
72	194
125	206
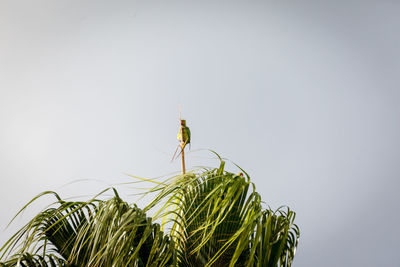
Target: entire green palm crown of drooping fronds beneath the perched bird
214	218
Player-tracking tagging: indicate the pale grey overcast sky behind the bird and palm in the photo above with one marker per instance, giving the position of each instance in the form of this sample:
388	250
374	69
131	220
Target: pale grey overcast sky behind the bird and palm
304	95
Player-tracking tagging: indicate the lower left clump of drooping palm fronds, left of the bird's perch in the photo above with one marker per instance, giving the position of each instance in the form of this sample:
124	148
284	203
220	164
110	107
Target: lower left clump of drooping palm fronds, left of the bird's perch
93	233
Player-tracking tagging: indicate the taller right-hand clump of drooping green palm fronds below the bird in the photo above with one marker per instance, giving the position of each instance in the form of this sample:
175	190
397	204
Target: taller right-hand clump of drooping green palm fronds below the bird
217	220
